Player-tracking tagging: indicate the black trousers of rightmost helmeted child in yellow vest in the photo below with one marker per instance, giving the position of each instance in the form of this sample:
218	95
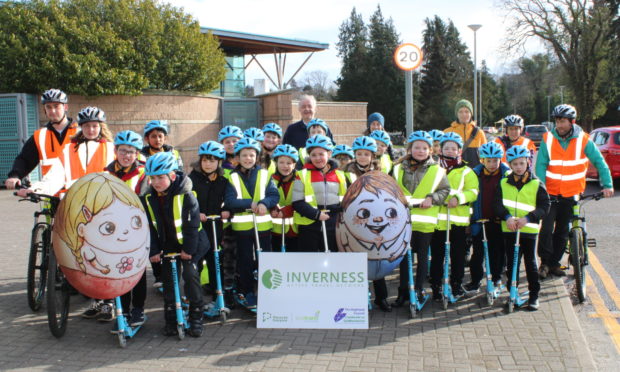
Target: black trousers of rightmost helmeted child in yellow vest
526	250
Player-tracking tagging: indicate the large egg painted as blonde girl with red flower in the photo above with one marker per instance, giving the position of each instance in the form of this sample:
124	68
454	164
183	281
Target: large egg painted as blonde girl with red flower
101	236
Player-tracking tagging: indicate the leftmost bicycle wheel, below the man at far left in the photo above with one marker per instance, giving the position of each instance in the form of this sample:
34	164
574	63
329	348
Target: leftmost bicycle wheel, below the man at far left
37	265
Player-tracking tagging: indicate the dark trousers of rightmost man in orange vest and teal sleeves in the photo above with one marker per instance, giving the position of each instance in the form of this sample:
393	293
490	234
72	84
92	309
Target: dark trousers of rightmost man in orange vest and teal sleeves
554	231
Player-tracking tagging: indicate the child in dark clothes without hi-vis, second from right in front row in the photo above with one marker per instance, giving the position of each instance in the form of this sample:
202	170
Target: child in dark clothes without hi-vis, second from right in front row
490	172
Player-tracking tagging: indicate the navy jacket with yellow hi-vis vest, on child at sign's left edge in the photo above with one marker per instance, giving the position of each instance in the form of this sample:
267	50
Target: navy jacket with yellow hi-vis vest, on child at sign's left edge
244	188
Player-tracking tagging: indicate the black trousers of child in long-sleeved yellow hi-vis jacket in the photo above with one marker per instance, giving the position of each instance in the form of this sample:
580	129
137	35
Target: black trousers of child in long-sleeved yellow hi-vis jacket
457	256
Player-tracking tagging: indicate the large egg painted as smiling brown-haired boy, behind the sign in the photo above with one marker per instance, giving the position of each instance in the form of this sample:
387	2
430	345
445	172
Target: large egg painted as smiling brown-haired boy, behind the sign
375	219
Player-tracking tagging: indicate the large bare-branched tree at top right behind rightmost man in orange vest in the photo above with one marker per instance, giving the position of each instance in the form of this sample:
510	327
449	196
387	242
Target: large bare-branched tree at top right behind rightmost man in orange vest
579	33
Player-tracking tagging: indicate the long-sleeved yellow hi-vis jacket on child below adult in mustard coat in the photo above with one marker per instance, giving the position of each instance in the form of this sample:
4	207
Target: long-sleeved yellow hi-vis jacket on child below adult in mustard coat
463	187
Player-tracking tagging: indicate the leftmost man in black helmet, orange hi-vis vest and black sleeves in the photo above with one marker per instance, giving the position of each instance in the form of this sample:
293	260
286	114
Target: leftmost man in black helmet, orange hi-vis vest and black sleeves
47	142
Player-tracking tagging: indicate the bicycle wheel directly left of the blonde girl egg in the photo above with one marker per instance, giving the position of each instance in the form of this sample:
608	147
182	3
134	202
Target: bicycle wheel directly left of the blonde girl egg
57	297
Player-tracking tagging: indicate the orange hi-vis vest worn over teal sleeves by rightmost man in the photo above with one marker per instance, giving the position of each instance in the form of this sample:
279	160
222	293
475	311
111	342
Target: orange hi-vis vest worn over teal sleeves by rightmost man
566	172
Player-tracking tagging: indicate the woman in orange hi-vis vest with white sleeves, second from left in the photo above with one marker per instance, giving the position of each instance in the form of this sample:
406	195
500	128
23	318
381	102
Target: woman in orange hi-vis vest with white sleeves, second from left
89	151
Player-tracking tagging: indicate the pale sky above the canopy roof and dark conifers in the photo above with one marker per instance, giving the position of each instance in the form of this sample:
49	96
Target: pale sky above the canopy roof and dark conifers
319	20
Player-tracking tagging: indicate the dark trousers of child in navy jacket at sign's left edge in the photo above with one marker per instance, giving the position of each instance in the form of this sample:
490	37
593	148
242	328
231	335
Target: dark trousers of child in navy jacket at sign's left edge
246	265
